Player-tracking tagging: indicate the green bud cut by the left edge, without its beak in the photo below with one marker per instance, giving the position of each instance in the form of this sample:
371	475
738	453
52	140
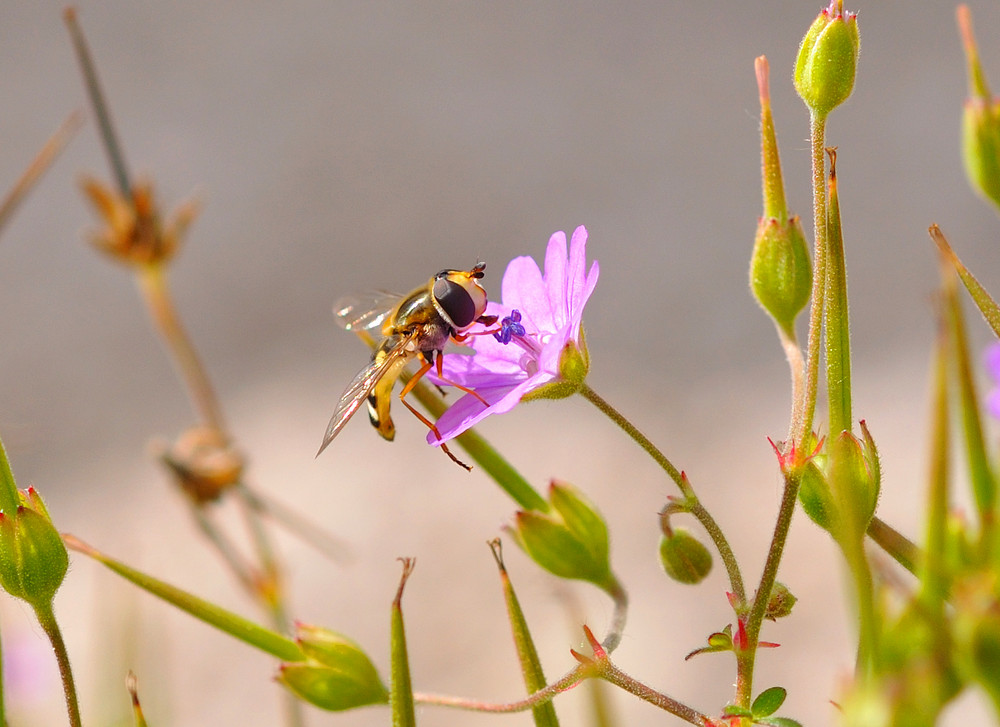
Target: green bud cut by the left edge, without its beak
33	559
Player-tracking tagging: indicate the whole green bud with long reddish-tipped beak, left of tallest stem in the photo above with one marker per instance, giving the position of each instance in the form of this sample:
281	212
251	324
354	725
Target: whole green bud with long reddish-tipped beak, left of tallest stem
780	269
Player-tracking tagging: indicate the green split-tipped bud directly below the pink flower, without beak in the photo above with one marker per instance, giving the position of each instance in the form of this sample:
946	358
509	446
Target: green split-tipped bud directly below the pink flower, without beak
570	541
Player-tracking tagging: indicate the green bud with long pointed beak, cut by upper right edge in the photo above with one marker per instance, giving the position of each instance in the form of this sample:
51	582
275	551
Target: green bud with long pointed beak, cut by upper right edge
980	121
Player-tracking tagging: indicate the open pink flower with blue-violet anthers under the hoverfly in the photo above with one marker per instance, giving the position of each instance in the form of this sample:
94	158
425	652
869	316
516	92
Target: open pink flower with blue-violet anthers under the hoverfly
540	338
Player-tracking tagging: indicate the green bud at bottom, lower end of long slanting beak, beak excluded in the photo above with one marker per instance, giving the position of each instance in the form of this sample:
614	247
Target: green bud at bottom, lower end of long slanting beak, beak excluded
337	674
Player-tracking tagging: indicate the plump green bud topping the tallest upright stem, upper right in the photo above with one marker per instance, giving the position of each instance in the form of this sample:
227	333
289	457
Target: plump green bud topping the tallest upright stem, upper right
828	60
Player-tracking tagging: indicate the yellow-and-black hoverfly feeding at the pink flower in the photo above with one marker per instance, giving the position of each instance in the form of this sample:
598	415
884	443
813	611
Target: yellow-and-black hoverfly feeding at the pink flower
416	326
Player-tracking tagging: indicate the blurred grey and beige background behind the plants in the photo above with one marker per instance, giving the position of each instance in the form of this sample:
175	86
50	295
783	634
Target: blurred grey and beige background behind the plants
337	147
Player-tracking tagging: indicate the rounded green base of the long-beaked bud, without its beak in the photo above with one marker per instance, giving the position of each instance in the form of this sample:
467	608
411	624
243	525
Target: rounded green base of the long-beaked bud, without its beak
780	269
